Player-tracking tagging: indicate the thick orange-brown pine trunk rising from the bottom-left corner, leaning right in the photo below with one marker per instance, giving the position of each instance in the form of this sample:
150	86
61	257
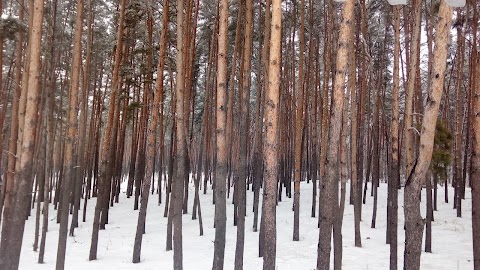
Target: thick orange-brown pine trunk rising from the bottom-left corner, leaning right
13	222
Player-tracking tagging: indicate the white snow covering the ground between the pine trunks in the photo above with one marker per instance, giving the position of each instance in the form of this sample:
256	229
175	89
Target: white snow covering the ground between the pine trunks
451	244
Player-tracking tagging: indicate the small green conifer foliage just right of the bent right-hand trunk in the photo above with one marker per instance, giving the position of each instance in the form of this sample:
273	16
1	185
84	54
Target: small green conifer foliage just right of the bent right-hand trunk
441	157
